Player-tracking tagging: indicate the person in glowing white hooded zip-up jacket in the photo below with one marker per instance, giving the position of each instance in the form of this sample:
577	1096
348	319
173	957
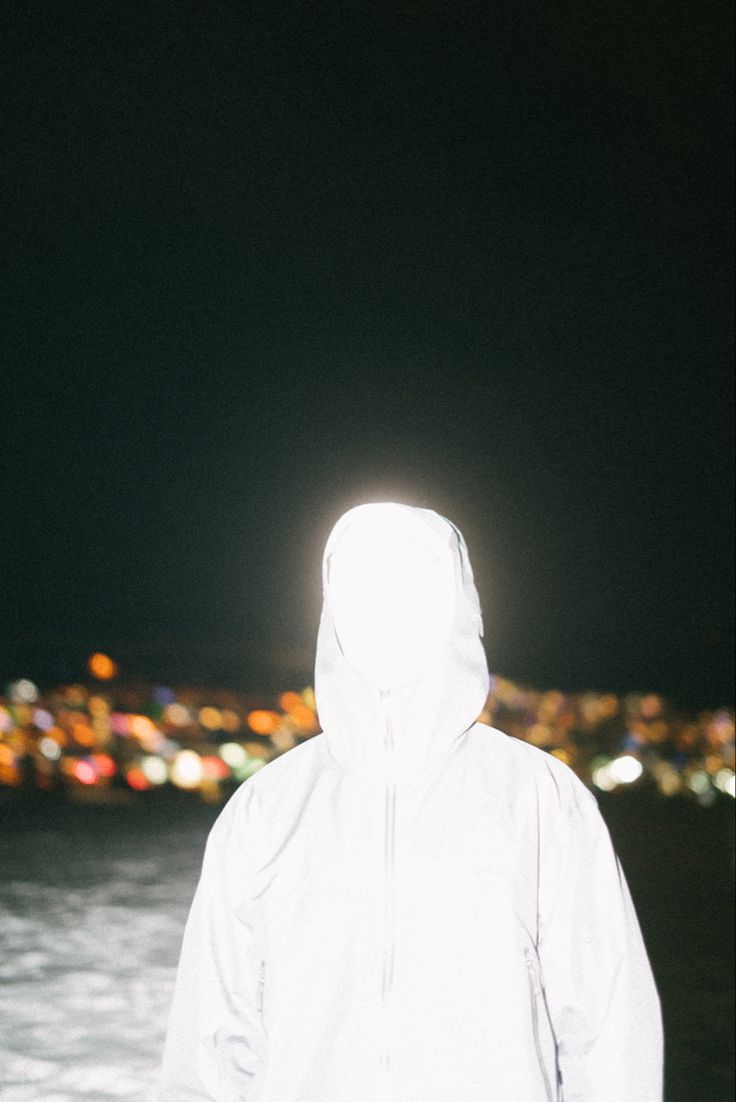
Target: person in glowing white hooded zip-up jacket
410	906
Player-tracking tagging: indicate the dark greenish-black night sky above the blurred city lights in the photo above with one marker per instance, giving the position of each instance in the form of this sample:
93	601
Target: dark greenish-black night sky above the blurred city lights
266	262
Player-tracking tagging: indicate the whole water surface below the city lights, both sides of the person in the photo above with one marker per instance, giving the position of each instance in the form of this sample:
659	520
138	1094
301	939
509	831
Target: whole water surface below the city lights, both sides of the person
94	900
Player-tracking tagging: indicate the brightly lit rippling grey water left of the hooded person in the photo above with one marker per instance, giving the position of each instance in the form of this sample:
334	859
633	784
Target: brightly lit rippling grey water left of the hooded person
92	913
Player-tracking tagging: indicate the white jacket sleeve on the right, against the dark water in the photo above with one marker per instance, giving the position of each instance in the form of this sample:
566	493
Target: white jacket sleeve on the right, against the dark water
601	993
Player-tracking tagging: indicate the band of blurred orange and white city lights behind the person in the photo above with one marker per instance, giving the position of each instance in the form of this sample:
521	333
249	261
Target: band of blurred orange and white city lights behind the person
80	738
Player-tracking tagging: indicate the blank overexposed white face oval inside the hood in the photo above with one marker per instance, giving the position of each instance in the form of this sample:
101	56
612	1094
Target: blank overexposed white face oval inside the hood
392	595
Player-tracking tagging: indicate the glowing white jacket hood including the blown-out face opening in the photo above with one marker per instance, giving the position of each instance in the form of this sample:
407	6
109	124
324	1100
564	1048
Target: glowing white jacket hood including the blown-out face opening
401	671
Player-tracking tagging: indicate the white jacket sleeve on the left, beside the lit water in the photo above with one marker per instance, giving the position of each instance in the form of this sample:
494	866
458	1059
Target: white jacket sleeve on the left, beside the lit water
212	1045
